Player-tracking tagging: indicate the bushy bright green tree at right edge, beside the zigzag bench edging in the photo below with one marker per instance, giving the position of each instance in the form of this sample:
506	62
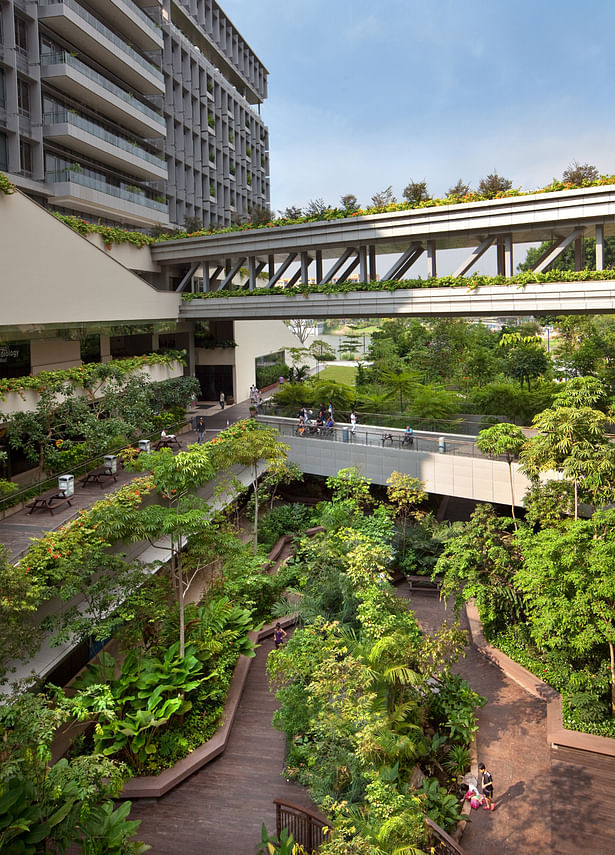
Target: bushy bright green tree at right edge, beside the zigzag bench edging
569	585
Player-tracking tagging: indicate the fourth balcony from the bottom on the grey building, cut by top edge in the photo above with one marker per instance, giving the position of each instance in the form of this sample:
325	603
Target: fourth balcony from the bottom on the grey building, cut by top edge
71	21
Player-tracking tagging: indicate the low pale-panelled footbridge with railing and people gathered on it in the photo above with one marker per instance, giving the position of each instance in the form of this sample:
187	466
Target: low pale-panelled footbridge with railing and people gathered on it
447	464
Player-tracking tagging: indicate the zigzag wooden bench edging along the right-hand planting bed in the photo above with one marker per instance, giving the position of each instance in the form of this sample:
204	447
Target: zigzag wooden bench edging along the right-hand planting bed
557	734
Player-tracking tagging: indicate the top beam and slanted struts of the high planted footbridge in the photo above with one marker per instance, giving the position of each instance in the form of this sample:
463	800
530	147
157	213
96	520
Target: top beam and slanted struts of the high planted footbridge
355	243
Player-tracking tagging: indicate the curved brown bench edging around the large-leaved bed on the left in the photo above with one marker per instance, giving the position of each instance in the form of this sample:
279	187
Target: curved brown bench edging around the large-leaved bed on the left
155	786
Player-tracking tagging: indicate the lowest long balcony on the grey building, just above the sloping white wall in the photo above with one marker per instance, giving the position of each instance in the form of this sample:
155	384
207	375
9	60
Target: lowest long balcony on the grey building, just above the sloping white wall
95	195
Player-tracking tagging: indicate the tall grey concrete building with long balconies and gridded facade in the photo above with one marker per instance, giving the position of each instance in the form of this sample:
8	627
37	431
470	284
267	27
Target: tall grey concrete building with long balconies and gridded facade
139	112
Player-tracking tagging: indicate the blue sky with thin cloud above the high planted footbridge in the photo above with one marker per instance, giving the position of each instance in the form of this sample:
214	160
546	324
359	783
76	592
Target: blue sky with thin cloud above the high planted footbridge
364	94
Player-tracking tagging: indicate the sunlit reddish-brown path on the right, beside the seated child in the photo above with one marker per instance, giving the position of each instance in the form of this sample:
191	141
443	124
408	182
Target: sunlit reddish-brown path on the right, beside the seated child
512	742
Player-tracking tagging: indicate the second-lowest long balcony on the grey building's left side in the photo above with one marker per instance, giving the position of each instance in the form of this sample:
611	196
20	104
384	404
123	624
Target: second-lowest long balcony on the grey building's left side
86	137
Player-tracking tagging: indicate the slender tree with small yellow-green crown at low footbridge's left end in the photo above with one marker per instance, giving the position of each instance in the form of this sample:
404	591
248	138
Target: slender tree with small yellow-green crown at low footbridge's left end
249	444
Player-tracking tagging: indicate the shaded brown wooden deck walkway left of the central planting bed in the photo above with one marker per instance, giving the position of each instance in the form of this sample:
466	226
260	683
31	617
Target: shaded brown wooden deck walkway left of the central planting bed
221	808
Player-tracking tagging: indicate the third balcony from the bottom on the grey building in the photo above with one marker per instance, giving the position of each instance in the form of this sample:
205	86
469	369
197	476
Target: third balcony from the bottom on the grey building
75	78
